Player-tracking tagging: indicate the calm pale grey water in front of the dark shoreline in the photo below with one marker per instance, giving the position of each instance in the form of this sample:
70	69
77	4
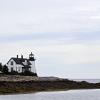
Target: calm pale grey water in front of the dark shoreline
62	95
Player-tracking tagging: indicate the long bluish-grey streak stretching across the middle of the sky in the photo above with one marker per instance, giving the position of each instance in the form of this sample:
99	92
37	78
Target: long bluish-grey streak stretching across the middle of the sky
61	37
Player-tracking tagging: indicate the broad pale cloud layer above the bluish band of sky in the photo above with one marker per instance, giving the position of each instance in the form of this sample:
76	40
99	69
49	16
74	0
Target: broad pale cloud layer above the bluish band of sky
28	16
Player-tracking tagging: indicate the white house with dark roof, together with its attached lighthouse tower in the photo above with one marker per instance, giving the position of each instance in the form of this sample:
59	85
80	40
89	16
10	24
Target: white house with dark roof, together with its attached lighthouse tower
22	64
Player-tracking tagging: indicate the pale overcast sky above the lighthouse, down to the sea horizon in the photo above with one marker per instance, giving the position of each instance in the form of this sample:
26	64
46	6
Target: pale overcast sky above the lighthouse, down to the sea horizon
64	35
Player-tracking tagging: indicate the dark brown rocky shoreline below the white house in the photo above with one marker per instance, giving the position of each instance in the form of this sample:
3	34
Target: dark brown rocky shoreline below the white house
25	84
